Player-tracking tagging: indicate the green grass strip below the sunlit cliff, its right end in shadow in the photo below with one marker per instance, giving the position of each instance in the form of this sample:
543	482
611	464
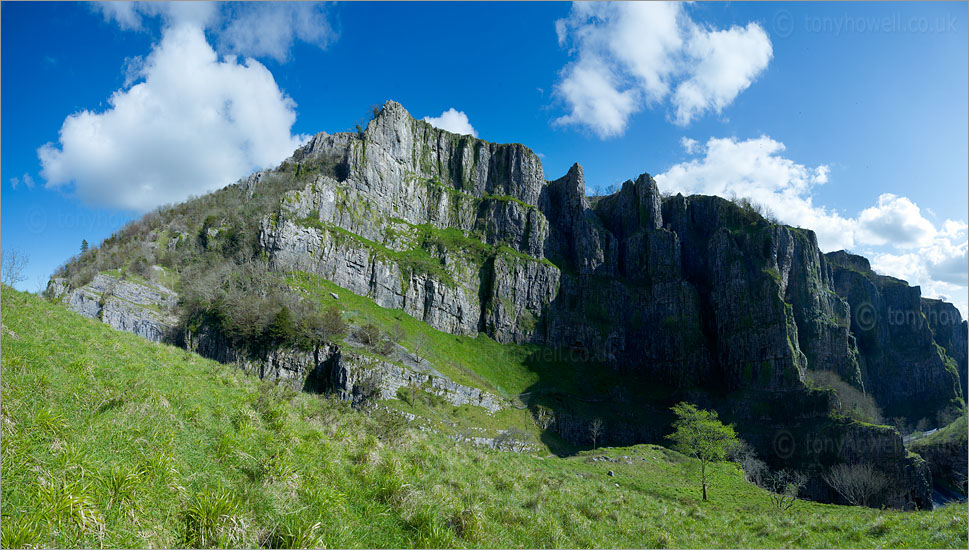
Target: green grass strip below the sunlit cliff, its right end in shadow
532	373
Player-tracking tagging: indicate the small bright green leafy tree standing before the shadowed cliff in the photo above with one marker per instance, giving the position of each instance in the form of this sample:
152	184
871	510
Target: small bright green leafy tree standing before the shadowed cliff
700	434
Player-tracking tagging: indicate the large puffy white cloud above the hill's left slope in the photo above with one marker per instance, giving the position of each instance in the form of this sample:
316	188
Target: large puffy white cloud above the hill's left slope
192	124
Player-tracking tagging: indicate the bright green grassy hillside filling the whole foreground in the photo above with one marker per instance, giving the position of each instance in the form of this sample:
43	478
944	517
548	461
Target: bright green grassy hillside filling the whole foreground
111	440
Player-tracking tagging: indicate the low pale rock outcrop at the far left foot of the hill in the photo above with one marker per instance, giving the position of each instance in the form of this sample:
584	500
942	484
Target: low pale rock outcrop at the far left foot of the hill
139	307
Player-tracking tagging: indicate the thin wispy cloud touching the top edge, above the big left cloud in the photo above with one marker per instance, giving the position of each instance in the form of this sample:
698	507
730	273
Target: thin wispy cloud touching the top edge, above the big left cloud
257	29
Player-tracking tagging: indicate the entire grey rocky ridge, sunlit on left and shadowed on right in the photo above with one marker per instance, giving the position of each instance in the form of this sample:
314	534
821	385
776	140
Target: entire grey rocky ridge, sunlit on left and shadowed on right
697	291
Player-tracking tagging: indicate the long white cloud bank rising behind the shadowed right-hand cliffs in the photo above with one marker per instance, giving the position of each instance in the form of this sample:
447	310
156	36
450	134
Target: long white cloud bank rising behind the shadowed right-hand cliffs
893	233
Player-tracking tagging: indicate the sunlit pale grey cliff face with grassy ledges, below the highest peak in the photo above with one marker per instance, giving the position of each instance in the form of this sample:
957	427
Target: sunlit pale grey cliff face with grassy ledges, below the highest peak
411	223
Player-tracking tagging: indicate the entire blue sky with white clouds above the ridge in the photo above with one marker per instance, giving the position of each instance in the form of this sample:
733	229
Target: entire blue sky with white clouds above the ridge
848	118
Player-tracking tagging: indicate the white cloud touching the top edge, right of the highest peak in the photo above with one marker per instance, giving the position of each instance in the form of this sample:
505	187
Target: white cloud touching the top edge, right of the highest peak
629	55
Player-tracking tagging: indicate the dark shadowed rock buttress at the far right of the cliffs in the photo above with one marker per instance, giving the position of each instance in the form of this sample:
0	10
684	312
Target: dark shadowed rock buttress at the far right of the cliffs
902	365
